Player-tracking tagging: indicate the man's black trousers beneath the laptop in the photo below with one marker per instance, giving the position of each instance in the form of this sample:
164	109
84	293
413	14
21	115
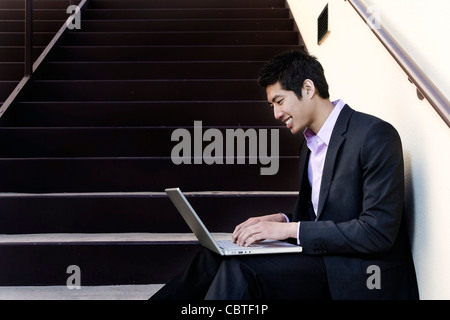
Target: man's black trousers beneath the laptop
282	276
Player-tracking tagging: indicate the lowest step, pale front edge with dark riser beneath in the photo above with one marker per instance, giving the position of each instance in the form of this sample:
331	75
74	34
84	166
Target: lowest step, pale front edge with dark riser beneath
95	259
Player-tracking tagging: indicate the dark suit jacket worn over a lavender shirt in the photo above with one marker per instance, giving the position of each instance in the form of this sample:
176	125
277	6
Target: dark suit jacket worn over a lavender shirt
360	220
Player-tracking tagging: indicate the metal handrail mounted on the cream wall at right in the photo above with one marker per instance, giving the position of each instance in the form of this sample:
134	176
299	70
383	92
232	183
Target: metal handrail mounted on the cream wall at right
416	75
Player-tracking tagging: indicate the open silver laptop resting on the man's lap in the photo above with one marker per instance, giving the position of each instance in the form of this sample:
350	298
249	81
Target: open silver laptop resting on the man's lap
223	247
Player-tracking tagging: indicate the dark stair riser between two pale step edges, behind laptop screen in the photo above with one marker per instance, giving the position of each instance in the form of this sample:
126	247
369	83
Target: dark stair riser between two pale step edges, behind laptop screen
130	213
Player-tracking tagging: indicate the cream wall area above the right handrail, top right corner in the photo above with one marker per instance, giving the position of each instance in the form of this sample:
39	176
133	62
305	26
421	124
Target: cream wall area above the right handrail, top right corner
421	27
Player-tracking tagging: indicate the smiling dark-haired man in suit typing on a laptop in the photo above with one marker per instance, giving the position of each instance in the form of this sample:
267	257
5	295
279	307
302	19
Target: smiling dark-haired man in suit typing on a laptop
348	217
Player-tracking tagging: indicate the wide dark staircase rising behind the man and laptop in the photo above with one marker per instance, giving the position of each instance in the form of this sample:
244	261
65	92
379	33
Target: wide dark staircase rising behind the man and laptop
85	149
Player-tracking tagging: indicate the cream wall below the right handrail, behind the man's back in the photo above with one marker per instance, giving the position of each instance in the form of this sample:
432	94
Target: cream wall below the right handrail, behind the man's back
361	72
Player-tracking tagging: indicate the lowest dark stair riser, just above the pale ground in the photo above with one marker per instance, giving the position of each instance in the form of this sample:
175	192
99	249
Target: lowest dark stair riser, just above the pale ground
101	264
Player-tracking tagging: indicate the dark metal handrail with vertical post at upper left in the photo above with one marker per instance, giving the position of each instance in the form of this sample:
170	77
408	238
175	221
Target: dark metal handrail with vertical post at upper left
31	67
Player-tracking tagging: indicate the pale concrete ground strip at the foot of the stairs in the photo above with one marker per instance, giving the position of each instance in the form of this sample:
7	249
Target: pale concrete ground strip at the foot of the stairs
123	292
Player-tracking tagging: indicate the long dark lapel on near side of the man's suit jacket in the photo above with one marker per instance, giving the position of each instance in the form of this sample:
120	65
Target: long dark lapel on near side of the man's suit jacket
337	138
